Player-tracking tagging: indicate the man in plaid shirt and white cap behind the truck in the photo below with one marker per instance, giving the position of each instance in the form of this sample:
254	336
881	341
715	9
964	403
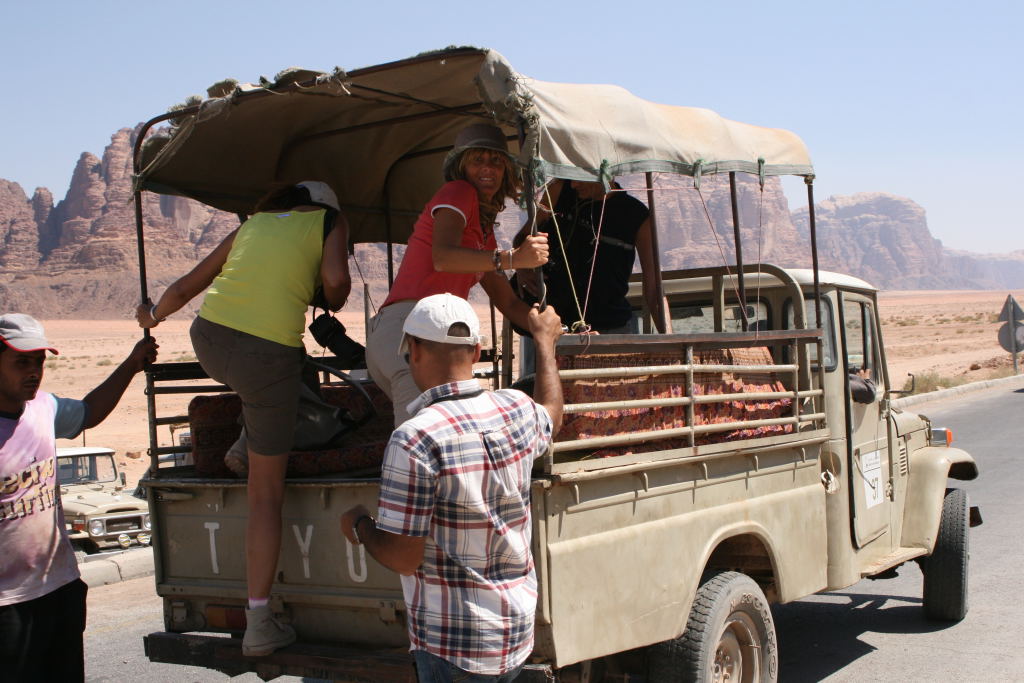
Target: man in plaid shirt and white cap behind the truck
454	508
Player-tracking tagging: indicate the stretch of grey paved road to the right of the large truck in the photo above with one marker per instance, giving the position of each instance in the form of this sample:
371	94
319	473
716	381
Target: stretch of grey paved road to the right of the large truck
875	631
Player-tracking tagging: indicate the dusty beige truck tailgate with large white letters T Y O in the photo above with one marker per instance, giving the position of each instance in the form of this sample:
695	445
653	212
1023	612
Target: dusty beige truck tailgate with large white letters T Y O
330	590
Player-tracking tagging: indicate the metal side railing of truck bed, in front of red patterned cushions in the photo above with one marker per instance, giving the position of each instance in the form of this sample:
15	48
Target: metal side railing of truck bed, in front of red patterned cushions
684	397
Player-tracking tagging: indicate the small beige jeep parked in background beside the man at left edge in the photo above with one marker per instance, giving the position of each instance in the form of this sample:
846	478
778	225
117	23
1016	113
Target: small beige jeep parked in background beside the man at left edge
99	510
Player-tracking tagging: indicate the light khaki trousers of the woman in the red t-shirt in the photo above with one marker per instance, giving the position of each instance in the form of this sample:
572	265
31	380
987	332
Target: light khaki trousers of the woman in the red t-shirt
387	367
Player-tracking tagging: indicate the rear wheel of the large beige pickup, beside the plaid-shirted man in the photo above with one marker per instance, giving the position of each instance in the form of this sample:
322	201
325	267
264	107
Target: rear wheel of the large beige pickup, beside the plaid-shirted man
731	636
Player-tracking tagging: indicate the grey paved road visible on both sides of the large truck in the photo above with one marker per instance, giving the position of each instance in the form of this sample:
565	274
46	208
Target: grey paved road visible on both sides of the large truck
873	631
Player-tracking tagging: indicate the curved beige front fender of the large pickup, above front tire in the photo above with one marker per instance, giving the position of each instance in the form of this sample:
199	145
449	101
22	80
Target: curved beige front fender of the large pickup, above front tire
930	469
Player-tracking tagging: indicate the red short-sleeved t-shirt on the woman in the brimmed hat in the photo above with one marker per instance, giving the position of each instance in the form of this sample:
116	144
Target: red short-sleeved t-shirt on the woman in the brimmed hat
417	277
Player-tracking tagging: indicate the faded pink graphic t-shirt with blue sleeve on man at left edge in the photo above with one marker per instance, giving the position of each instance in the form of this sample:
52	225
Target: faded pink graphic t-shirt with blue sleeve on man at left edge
36	558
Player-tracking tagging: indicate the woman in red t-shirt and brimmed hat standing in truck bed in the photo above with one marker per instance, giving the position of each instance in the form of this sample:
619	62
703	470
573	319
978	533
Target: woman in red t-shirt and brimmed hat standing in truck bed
452	248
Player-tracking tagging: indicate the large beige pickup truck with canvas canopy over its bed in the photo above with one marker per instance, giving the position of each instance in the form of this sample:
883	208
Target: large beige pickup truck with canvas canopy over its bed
700	477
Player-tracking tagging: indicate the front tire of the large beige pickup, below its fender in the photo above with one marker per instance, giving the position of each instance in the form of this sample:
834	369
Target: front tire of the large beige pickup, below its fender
947	569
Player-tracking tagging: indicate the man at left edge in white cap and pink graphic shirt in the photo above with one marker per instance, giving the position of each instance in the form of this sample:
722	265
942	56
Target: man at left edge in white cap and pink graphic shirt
42	600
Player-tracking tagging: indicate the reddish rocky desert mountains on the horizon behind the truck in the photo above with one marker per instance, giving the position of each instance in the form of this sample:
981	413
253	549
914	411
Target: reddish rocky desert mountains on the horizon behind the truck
79	259
